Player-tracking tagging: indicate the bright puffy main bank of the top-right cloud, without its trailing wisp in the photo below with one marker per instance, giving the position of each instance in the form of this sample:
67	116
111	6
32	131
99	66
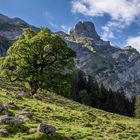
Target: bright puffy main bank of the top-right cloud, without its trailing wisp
118	9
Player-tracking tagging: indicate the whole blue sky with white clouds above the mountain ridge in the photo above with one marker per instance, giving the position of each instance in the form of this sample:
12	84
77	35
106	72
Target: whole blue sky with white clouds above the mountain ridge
117	21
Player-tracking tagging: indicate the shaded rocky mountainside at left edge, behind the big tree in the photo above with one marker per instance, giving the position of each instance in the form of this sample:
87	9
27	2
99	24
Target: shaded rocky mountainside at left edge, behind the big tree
10	28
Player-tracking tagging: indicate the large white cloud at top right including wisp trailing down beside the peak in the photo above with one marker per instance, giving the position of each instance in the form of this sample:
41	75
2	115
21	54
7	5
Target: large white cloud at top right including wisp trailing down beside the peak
121	12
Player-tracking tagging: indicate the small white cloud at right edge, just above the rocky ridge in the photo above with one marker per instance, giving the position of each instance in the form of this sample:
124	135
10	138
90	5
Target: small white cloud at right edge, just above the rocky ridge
134	42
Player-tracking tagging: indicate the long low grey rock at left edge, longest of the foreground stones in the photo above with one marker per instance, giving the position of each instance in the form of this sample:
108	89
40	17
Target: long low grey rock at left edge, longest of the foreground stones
10	120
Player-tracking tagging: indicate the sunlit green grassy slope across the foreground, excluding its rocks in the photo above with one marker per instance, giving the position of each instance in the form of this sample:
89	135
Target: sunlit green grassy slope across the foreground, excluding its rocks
71	119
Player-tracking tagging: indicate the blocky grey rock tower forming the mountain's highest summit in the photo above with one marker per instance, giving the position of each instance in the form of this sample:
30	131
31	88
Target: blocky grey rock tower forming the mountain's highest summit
85	28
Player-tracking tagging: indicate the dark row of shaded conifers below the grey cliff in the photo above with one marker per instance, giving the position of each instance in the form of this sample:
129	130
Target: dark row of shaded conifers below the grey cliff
86	90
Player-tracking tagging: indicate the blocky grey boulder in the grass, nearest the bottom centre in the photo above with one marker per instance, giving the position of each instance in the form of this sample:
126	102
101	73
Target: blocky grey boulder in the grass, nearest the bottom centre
46	128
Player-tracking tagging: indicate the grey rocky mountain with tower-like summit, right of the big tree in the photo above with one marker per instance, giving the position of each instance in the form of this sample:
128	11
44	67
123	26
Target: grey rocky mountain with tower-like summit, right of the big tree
113	67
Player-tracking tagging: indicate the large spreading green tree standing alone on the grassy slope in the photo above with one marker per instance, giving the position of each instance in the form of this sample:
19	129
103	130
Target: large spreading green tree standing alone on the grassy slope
40	59
